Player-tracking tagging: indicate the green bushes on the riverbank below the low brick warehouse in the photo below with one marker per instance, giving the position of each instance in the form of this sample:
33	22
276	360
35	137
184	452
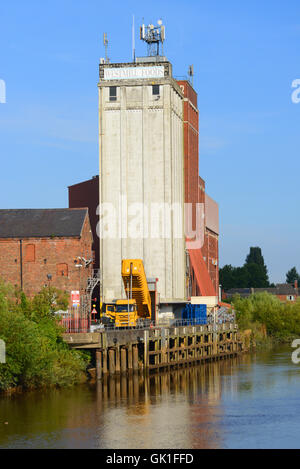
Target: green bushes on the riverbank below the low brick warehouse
35	352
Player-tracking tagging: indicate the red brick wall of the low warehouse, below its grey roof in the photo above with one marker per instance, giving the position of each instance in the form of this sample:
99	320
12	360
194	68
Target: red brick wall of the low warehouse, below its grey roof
43	256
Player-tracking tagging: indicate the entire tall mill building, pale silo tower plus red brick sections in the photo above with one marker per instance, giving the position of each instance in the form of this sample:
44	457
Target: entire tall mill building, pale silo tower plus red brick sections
149	157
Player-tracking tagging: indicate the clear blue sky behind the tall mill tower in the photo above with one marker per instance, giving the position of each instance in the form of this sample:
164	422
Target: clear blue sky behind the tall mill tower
245	56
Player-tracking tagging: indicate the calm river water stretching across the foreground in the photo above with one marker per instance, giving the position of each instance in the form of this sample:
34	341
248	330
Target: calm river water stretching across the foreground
252	401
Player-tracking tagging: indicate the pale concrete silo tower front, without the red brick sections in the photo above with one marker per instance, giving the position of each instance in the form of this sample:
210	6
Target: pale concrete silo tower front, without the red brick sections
141	175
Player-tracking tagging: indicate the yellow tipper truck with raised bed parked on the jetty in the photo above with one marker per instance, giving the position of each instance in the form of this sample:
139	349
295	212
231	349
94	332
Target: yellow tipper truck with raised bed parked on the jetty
137	307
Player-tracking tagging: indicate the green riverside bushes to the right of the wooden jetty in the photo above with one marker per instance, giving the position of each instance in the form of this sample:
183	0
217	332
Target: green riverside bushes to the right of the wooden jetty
270	320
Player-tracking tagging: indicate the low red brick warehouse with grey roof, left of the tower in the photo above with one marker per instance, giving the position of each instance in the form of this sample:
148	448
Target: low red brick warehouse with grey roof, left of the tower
42	247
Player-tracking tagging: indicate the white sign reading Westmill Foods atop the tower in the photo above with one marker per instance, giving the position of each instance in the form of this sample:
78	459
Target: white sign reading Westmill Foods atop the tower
131	73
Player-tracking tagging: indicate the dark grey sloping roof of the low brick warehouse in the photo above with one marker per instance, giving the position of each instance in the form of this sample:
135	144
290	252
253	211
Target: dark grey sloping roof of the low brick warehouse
42	223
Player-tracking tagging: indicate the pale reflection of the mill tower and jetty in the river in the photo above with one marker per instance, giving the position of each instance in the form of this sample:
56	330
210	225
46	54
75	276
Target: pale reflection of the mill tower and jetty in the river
176	409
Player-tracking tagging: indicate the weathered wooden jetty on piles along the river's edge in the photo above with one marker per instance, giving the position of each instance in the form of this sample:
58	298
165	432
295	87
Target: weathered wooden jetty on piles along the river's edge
146	350
